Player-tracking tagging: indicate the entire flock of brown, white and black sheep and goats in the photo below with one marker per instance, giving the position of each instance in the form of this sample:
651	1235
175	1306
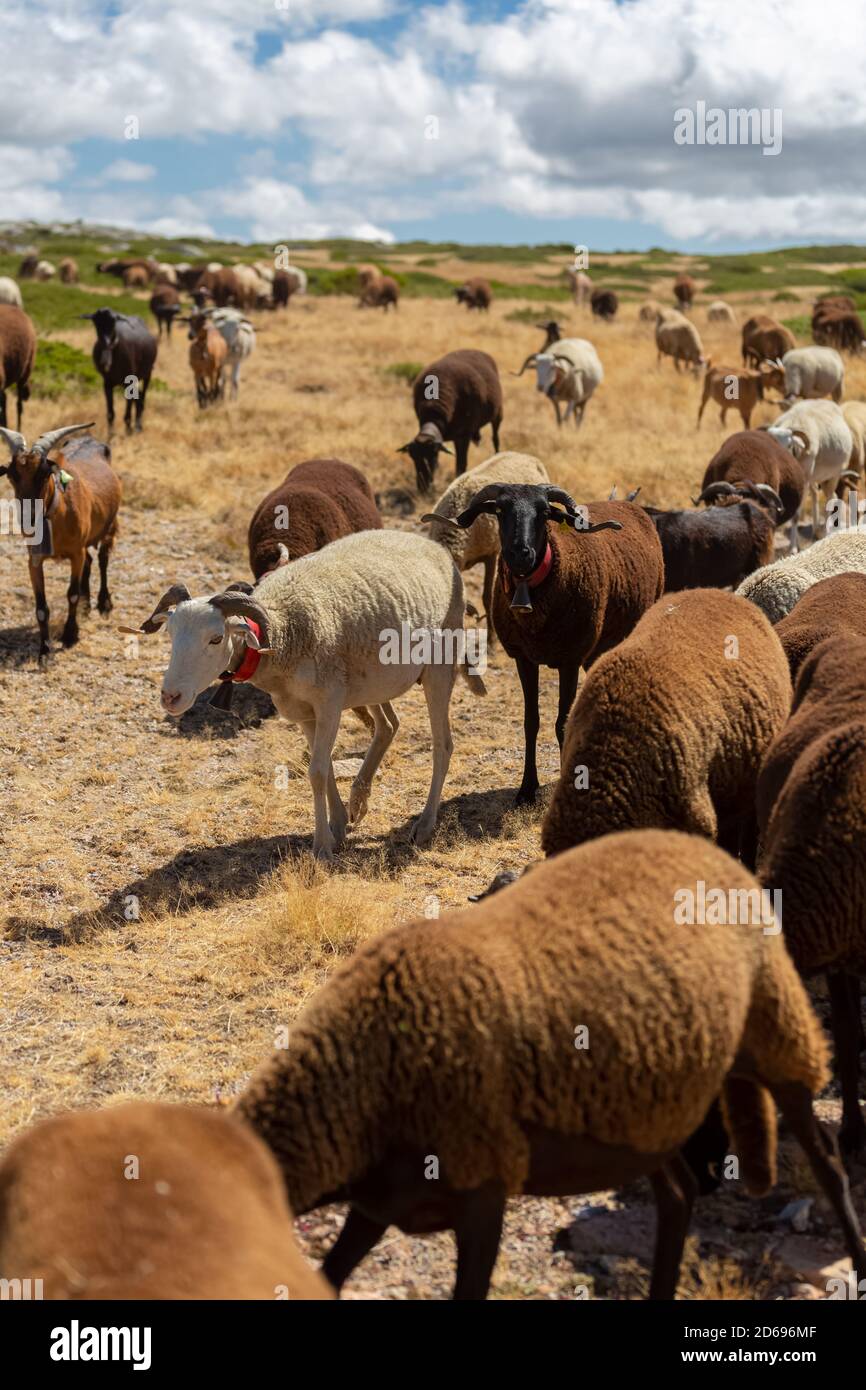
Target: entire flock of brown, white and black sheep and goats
715	746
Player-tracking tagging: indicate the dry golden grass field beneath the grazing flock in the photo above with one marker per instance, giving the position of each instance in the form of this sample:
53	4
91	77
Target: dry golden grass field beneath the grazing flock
163	914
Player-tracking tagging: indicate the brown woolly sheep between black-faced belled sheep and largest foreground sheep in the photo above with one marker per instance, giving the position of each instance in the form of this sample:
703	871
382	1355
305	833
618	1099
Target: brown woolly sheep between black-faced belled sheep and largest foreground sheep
669	732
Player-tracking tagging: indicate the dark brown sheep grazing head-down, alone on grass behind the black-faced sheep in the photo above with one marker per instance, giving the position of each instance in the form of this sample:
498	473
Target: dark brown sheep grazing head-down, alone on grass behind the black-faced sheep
455	397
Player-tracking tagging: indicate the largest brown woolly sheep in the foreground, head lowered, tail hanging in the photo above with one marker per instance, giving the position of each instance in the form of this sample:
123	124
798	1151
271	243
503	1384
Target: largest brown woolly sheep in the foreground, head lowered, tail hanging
457	1039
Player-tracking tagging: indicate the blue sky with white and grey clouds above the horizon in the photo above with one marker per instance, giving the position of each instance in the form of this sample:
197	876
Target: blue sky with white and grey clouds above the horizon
482	122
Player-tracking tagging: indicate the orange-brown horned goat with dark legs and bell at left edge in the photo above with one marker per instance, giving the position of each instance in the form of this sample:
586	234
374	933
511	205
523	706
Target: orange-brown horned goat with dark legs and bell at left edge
74	500
